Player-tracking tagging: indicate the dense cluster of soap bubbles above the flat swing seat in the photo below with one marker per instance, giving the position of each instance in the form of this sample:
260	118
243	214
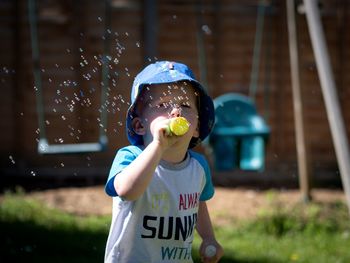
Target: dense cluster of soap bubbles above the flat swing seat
90	71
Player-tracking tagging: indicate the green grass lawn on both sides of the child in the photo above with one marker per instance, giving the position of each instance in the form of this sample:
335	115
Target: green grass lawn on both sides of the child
31	232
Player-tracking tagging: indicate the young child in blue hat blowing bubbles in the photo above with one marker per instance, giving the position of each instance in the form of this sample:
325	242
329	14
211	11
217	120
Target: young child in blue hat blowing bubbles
159	186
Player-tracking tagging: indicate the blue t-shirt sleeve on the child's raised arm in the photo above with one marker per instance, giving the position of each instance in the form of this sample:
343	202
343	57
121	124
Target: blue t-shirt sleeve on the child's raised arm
123	158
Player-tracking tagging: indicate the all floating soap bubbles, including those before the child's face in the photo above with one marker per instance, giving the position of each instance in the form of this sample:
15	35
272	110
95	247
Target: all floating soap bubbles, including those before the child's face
65	102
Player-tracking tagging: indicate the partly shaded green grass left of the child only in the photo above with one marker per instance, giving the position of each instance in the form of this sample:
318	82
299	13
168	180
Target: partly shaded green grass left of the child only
31	232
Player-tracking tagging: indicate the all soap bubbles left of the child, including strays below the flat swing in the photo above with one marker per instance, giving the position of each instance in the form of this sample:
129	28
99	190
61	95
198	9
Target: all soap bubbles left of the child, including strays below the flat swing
68	96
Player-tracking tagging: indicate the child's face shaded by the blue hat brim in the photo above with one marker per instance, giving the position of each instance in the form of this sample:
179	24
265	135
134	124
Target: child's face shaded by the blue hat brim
167	101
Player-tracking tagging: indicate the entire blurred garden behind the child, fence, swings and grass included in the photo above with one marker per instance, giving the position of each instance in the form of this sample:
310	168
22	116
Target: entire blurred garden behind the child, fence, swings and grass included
66	70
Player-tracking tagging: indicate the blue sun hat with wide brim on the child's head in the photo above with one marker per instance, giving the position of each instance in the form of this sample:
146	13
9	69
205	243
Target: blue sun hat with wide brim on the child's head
164	72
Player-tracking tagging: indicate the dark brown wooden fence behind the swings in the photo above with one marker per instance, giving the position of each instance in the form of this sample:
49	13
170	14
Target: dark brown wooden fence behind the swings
66	68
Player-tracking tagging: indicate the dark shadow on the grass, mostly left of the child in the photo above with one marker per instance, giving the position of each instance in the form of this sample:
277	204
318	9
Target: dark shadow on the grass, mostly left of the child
29	242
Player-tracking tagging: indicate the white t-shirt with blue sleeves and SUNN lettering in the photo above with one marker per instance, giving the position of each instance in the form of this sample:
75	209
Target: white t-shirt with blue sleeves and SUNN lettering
159	226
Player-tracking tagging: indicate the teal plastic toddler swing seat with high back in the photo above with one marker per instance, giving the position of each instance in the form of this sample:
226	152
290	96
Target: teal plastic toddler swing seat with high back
239	135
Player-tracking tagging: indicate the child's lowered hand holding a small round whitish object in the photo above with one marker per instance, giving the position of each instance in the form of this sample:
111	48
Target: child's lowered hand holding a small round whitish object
210	251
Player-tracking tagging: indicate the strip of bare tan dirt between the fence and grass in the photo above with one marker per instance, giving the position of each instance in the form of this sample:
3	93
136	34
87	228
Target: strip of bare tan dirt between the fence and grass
232	202
